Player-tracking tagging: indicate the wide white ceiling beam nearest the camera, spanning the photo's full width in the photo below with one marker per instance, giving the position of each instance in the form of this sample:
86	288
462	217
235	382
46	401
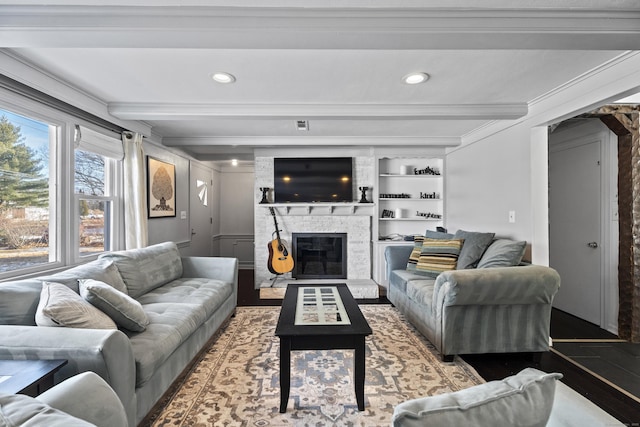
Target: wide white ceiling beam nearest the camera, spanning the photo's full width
320	28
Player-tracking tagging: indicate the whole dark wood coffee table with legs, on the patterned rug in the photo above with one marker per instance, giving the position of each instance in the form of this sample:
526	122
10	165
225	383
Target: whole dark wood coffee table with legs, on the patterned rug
321	317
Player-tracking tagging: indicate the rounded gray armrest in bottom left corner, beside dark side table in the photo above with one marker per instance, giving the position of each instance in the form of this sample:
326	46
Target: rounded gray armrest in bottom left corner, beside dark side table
88	397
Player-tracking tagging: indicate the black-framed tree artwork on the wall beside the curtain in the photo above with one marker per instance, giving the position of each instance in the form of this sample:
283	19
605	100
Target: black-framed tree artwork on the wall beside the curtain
161	188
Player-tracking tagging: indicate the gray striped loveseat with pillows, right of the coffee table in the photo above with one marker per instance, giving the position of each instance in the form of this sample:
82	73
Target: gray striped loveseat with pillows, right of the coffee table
489	304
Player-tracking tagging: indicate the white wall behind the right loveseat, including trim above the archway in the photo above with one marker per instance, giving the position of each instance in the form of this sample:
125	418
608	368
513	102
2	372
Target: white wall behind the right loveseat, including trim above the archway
501	167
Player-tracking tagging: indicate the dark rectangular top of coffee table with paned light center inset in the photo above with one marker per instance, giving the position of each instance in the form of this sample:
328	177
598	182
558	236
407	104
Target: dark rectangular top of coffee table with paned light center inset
320	310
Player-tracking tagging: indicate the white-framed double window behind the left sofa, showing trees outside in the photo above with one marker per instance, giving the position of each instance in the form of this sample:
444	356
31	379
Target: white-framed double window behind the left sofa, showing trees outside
40	152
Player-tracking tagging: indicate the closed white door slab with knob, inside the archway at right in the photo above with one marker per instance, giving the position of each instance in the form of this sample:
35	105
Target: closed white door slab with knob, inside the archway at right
574	229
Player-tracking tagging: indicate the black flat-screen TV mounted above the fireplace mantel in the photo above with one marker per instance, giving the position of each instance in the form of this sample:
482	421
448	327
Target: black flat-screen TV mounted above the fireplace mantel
307	180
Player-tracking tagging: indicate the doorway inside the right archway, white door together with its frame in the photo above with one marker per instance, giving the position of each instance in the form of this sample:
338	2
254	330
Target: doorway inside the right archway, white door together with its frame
583	225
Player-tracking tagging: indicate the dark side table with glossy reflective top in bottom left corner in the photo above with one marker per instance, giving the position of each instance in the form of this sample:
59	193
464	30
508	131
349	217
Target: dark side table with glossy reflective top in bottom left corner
30	377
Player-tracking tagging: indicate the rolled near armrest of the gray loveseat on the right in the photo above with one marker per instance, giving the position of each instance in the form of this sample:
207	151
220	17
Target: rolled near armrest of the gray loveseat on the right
531	284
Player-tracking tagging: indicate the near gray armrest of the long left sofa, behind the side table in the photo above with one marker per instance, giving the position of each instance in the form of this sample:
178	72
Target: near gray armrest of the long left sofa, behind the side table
107	352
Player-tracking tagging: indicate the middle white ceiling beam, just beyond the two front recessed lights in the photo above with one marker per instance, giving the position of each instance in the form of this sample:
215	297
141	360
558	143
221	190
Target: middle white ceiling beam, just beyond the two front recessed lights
181	111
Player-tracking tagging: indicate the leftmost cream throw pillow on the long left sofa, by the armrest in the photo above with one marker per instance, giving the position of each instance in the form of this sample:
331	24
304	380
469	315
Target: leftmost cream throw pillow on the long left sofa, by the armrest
60	306
